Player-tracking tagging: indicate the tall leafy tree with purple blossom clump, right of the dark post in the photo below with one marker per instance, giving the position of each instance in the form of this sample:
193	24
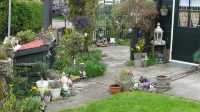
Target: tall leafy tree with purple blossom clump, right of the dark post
82	15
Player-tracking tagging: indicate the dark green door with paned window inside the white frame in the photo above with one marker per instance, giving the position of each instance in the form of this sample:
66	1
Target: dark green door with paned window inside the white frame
186	38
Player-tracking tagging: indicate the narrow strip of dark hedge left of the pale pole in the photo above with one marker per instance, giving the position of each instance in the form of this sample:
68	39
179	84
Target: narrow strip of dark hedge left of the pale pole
3	18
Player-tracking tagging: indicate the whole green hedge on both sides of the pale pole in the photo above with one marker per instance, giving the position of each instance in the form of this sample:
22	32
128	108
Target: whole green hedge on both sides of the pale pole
27	14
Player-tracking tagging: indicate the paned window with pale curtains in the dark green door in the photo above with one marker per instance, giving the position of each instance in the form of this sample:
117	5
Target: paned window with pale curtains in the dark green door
189	13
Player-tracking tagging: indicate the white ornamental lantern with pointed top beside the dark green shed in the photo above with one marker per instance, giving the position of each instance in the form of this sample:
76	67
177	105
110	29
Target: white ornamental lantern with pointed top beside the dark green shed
158	36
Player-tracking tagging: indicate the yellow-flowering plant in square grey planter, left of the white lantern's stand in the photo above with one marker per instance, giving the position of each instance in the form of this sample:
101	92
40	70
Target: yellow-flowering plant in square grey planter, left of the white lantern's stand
139	56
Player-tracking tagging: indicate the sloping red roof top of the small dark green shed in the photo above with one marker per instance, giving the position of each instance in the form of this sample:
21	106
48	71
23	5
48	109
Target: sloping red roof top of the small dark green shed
33	44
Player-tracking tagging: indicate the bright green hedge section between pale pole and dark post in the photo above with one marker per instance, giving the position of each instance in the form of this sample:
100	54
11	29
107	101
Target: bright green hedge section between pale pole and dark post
26	14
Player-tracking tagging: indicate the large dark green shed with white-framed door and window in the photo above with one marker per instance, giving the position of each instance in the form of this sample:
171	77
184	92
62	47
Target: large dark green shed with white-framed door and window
182	28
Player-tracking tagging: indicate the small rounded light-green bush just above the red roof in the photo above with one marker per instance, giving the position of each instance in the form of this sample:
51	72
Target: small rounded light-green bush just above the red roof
25	36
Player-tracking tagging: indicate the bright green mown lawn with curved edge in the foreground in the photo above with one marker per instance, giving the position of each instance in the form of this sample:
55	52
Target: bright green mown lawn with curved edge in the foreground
140	102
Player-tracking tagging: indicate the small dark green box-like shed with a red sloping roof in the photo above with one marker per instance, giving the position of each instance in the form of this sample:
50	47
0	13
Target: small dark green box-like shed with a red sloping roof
37	51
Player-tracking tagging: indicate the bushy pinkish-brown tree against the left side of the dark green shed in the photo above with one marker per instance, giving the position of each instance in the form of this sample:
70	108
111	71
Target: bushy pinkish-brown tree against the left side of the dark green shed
142	13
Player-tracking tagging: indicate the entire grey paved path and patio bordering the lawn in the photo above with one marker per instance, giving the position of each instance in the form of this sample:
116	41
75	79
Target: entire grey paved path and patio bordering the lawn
116	56
